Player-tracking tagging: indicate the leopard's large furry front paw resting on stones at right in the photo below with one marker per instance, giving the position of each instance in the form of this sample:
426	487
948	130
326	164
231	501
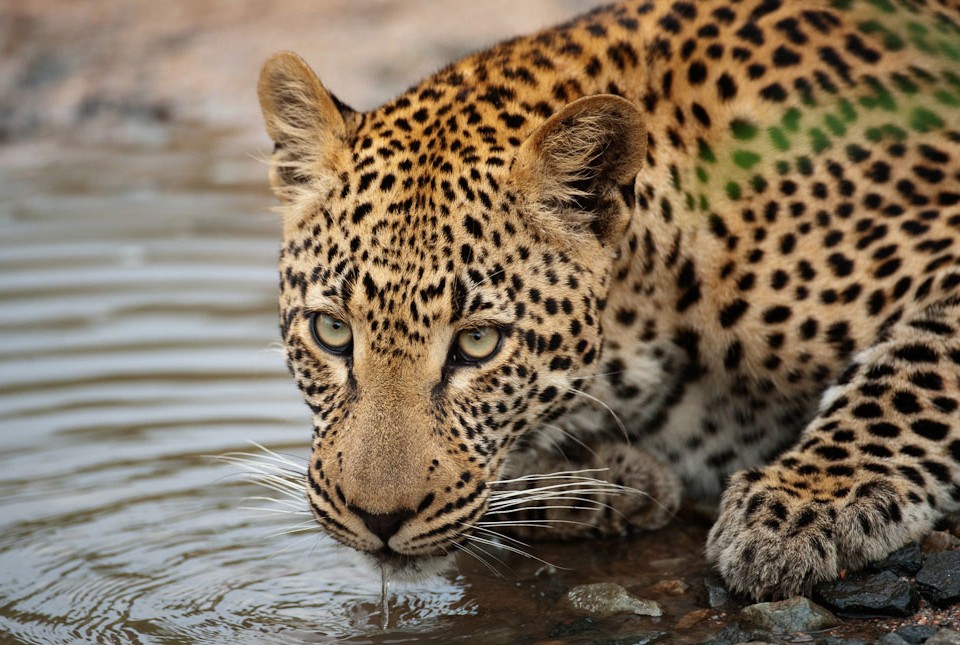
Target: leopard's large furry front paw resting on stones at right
775	540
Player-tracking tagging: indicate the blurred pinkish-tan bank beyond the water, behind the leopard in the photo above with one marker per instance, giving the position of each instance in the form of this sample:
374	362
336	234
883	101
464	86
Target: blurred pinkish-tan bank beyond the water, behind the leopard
127	71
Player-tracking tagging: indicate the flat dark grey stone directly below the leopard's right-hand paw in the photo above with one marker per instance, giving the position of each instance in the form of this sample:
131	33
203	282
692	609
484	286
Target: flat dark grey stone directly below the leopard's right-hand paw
878	594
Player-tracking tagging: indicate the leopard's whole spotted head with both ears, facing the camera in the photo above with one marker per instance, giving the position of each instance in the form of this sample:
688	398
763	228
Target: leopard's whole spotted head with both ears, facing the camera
439	296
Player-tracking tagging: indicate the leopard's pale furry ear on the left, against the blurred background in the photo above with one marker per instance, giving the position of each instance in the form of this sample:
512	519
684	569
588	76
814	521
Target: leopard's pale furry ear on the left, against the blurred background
307	124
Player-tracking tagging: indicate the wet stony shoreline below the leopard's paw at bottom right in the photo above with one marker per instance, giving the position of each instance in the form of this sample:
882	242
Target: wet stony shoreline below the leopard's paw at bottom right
908	598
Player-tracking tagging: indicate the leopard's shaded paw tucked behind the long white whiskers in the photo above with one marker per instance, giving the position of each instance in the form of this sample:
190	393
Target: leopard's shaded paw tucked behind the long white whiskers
611	488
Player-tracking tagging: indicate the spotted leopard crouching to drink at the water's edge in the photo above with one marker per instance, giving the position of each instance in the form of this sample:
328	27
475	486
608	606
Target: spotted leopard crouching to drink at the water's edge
706	249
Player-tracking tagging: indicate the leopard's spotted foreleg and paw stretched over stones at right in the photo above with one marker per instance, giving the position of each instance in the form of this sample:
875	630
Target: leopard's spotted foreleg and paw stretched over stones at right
873	471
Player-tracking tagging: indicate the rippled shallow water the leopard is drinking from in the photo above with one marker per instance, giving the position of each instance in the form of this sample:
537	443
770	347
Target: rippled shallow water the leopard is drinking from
137	341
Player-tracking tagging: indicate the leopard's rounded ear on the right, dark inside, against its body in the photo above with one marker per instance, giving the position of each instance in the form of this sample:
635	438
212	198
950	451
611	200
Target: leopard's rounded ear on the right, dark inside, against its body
577	162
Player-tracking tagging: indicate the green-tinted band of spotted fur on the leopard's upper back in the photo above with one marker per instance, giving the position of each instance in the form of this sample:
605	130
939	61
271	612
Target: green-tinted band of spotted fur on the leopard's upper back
838	121
